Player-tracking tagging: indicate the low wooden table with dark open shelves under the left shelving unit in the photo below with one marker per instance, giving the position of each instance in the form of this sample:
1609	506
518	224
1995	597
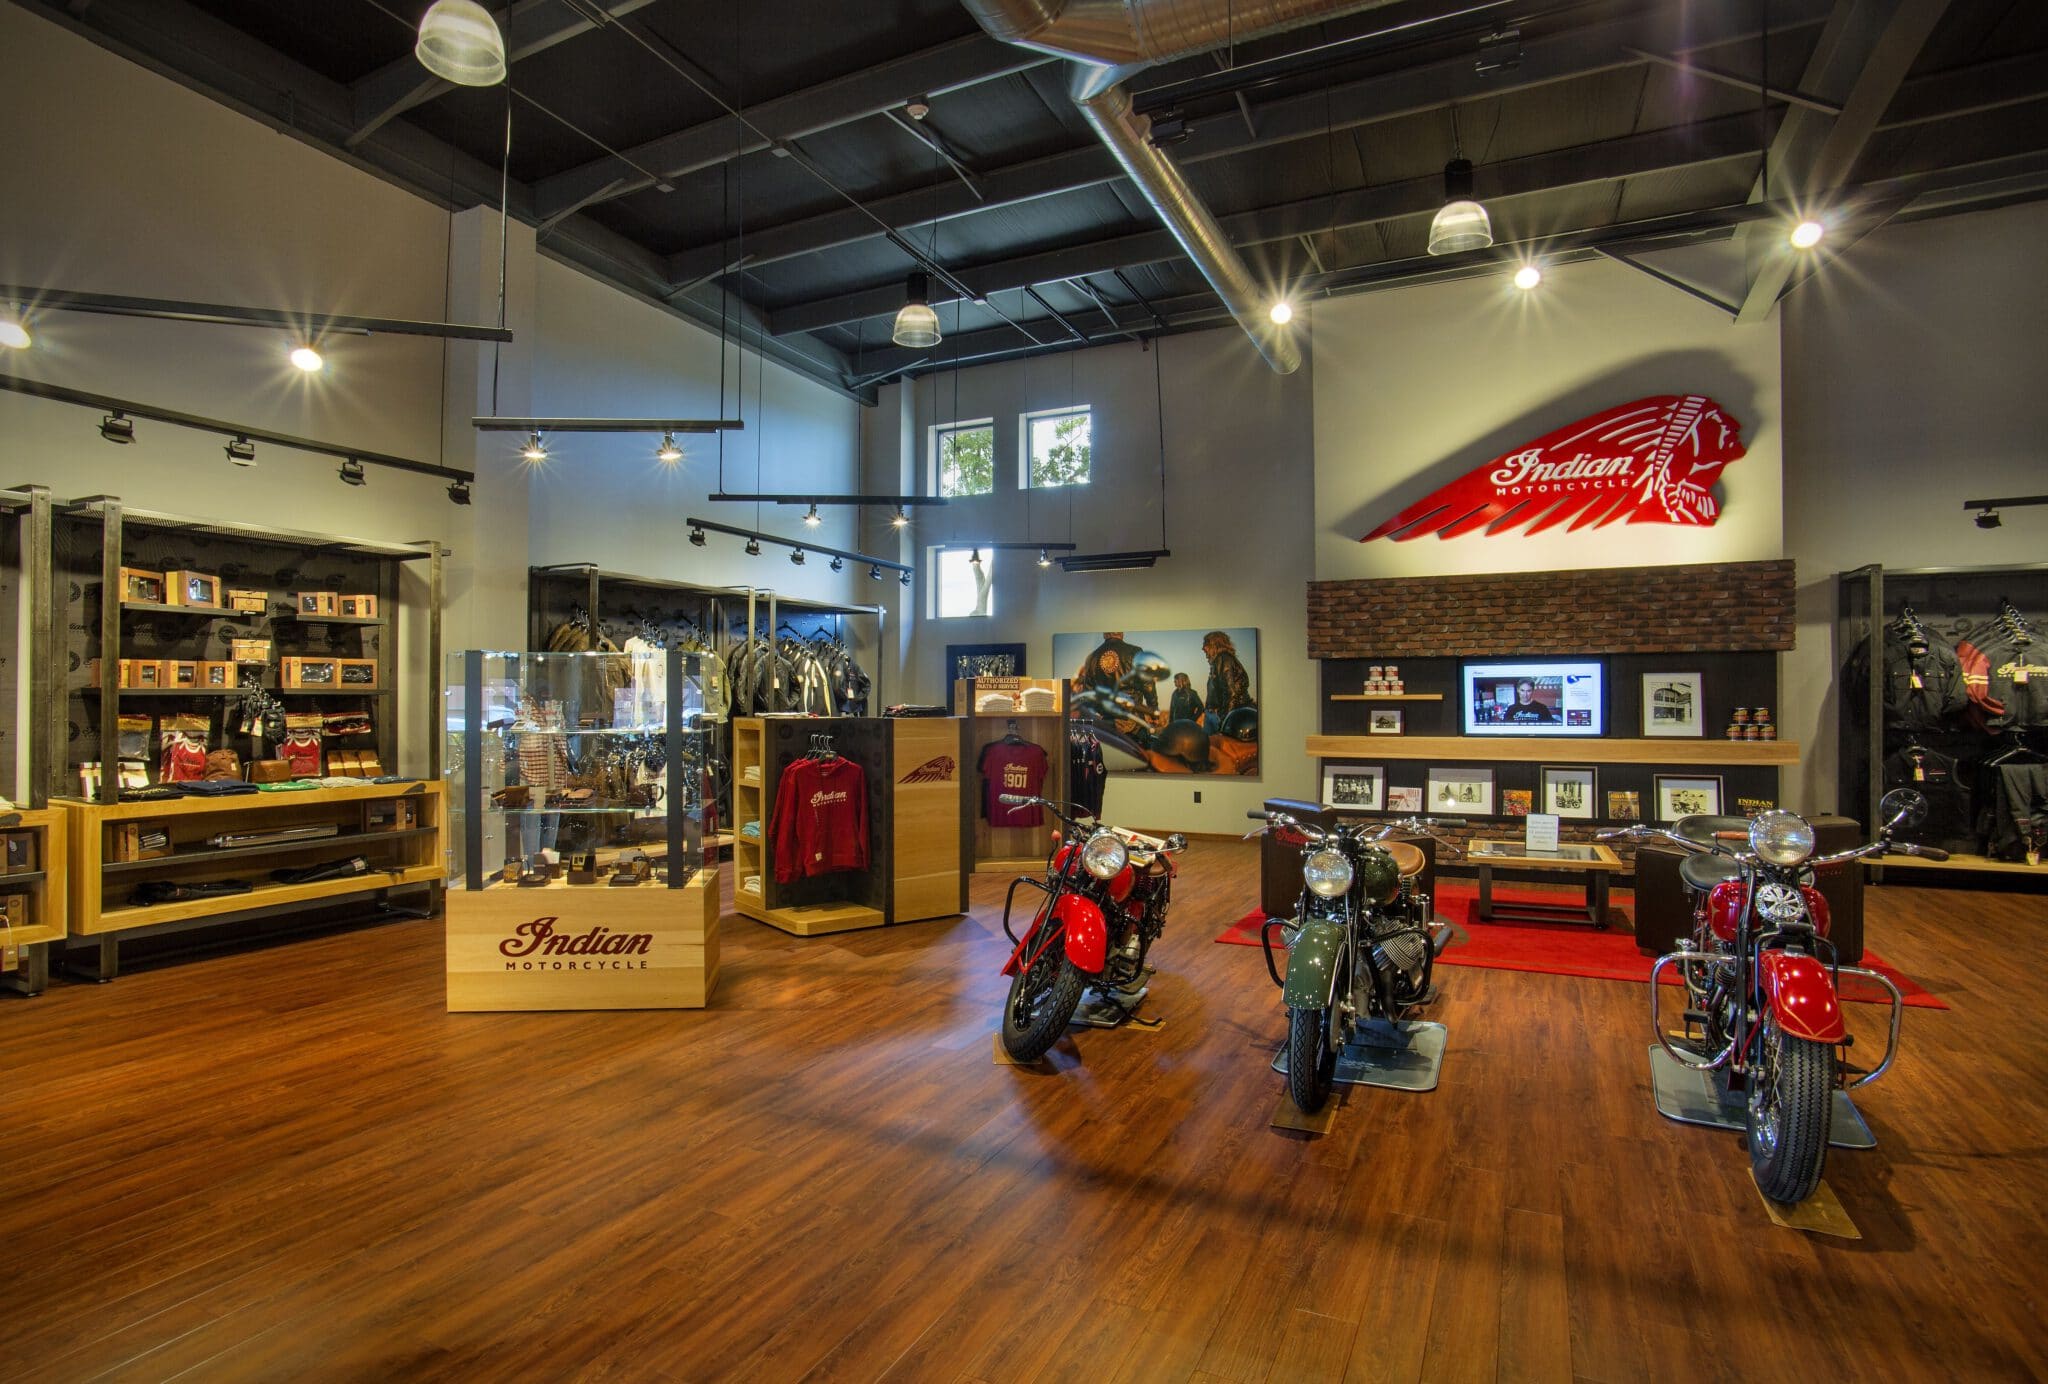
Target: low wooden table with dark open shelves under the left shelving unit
101	885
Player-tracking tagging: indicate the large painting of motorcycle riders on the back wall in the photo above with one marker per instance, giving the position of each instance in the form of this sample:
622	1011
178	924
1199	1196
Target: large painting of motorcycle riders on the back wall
1166	701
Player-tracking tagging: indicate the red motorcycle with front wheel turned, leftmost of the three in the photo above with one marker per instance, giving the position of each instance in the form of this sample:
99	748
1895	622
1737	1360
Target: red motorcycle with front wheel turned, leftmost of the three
1107	894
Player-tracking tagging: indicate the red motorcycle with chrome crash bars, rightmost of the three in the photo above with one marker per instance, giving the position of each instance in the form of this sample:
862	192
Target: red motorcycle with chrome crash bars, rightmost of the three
1762	980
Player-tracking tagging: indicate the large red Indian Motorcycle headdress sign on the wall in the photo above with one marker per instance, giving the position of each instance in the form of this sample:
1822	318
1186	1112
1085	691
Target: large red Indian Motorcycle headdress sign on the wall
1652	462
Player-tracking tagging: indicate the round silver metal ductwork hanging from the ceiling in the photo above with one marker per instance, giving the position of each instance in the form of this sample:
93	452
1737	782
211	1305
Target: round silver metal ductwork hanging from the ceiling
1113	40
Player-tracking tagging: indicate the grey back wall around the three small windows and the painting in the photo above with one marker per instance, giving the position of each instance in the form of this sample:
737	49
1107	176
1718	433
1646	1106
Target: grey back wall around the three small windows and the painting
1238	503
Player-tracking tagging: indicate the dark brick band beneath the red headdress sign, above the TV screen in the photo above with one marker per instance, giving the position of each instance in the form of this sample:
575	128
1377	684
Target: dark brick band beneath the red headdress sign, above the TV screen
1709	607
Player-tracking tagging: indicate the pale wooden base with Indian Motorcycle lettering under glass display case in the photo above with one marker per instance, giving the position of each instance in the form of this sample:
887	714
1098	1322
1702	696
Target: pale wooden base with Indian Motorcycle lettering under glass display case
585	947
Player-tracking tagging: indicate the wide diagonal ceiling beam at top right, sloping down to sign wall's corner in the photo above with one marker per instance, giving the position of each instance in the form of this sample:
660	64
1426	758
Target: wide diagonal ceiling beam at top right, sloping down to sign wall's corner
1865	54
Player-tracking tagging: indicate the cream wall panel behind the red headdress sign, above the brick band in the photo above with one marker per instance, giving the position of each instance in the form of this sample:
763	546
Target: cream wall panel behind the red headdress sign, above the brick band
1420	386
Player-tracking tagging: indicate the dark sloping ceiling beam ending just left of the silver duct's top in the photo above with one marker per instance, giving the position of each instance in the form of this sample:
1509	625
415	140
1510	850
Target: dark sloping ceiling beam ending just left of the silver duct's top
828	105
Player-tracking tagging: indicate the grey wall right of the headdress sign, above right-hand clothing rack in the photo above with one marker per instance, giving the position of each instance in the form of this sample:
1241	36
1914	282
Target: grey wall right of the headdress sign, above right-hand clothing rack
1914	382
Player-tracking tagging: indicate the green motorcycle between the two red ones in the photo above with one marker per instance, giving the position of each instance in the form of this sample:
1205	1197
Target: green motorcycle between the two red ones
1363	941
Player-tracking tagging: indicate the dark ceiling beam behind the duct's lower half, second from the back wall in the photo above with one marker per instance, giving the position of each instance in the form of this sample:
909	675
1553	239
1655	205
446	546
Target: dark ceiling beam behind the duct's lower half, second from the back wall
1598	163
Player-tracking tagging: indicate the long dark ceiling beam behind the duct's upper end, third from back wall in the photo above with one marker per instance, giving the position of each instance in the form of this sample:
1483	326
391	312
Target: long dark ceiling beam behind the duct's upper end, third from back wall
1555	58
